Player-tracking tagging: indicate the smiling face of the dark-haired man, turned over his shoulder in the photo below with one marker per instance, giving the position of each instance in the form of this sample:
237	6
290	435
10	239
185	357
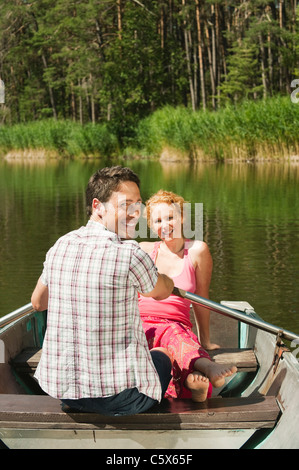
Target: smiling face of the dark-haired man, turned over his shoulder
121	213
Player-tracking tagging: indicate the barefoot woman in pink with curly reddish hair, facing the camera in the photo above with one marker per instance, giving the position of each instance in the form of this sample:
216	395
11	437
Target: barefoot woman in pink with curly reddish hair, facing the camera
167	323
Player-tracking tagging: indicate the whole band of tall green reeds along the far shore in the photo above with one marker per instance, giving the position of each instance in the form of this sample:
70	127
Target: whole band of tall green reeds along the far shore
264	129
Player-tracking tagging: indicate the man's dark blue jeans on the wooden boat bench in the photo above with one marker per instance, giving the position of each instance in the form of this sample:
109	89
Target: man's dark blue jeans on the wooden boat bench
130	401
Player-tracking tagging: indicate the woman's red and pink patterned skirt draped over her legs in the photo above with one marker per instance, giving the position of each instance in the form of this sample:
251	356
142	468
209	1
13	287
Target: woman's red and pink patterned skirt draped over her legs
184	346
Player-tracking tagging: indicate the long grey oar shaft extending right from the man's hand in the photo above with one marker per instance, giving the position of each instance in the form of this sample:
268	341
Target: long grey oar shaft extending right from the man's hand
232	313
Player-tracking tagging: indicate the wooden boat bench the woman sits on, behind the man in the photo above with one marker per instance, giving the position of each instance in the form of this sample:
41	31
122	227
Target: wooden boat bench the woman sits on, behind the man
244	359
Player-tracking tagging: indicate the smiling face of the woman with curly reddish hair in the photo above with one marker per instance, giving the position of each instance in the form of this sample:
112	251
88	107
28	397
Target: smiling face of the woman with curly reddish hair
166	221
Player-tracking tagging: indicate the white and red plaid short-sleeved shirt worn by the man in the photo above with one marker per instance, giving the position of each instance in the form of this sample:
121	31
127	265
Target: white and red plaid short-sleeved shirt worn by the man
95	345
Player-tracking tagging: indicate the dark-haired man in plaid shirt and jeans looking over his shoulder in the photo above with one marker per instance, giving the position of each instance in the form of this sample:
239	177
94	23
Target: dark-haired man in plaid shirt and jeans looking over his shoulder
95	356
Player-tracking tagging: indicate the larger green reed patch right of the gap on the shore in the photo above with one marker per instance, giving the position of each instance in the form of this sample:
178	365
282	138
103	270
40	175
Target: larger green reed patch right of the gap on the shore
263	129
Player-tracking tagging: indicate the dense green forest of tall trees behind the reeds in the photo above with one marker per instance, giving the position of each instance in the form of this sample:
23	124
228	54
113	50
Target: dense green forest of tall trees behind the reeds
117	61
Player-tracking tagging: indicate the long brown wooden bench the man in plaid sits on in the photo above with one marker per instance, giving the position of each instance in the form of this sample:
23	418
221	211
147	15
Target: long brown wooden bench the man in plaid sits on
44	412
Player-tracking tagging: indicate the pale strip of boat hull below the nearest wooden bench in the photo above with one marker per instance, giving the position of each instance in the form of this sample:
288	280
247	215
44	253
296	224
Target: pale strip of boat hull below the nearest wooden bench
97	439
